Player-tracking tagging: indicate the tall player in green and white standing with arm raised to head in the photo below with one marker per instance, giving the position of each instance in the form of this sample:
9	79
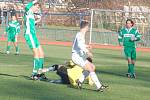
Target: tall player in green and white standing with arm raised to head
32	40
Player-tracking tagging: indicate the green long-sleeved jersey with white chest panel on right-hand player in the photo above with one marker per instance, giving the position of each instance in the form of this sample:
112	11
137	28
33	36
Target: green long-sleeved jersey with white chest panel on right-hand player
126	34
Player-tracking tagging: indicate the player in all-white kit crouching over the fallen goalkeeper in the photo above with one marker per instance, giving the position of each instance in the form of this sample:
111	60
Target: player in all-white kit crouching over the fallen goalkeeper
80	51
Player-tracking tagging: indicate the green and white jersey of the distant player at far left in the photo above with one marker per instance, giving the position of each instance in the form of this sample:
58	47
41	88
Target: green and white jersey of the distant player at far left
13	28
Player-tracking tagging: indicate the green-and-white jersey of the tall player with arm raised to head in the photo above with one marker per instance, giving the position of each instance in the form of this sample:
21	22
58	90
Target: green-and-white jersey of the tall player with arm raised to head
29	20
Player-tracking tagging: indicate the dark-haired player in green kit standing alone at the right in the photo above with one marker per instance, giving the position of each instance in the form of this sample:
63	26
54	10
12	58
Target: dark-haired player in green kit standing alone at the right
127	37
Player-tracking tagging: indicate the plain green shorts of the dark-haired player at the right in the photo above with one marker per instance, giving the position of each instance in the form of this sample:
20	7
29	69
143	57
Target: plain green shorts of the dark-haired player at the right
130	52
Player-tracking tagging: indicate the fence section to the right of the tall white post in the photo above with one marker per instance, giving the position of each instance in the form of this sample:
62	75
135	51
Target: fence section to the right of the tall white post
106	23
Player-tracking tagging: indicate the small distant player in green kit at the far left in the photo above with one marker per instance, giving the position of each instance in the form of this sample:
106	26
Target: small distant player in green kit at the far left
12	31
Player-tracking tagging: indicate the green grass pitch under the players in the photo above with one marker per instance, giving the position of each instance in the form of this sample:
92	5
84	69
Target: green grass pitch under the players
110	68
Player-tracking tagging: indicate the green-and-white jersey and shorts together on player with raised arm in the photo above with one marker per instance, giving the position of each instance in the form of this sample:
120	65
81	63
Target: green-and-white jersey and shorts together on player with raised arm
30	30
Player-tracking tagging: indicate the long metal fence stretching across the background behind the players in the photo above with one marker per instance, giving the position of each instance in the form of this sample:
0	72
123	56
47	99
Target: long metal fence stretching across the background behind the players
104	26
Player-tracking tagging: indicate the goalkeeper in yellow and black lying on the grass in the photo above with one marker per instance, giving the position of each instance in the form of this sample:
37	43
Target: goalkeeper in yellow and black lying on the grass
69	74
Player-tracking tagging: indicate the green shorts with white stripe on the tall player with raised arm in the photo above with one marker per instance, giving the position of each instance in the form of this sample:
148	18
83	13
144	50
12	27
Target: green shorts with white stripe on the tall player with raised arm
32	41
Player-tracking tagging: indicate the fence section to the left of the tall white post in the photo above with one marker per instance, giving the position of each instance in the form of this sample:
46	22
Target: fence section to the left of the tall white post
52	27
